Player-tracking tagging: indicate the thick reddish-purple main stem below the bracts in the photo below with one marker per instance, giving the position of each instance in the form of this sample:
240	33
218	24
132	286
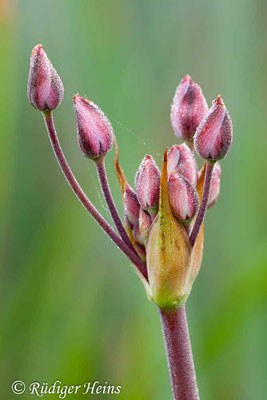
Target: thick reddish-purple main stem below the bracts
179	354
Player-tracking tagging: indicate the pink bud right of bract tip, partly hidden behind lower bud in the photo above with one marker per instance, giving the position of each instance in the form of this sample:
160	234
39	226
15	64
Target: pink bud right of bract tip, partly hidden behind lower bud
181	159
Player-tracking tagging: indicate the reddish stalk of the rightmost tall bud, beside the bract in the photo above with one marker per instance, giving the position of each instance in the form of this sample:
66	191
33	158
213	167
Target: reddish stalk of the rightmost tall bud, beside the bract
204	203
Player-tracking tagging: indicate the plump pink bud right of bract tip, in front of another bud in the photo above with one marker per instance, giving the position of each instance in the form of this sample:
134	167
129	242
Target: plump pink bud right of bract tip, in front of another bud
183	198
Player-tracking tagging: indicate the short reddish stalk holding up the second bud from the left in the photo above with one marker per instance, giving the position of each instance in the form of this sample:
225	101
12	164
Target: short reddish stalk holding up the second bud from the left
100	165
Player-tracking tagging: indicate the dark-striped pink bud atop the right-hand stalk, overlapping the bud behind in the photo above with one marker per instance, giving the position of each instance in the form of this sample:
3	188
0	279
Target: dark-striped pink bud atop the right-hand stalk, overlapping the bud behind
214	135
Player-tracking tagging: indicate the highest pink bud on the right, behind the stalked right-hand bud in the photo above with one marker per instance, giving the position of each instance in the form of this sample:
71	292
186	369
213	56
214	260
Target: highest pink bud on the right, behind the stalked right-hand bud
188	109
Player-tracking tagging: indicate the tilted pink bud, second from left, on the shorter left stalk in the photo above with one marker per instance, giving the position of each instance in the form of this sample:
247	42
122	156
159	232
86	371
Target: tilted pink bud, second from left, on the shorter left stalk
95	133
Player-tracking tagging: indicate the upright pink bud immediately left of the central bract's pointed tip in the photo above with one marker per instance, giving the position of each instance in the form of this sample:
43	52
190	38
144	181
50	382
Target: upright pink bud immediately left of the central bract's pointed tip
147	183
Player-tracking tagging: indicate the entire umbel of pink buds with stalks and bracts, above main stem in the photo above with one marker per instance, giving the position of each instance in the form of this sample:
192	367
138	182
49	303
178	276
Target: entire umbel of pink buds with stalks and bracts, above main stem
162	231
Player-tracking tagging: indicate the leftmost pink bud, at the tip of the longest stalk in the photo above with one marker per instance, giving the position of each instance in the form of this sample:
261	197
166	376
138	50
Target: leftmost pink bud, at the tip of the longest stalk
45	88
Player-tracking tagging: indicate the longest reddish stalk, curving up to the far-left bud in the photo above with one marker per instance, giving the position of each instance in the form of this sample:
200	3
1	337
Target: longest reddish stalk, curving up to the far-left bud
48	117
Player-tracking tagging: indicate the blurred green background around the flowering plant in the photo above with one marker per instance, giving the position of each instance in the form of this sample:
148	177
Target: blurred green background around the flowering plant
71	308
